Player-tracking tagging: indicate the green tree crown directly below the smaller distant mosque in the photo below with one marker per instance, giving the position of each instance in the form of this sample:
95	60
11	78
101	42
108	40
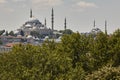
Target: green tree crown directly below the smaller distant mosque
100	49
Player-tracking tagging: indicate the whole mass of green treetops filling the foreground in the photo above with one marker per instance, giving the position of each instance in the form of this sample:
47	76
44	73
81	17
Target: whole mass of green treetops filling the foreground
76	57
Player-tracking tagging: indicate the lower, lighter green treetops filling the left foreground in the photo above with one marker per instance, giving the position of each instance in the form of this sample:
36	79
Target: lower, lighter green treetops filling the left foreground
27	62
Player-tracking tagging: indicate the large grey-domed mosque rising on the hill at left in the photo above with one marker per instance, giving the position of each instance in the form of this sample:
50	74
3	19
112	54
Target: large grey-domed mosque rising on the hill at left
34	24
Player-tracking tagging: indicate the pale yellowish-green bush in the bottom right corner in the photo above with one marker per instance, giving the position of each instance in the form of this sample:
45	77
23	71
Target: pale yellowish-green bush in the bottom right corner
105	73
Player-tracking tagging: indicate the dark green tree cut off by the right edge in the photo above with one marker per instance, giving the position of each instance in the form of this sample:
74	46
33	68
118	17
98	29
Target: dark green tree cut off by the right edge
114	44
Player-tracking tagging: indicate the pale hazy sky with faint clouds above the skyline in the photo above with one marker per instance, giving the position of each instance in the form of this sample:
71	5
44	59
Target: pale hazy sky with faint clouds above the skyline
80	14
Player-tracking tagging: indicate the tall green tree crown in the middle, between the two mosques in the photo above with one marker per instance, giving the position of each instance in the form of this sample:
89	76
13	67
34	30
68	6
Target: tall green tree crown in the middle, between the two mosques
75	45
